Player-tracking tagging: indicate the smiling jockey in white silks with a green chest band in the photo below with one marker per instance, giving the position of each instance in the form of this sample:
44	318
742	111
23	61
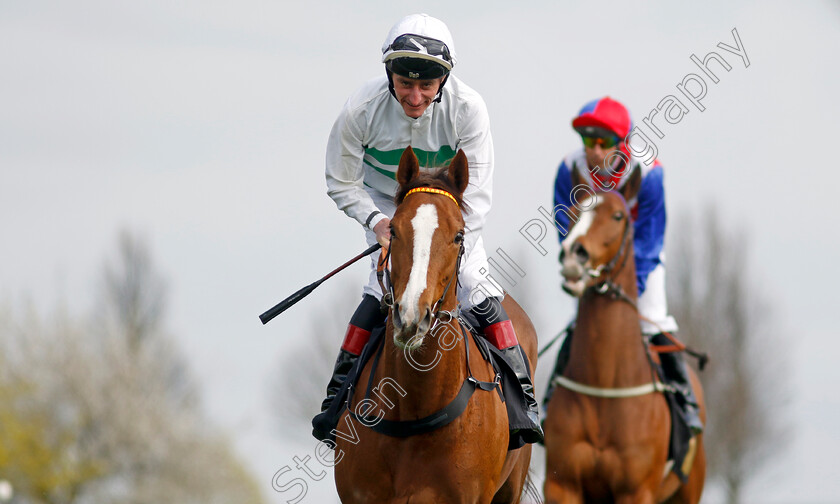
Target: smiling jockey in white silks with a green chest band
418	103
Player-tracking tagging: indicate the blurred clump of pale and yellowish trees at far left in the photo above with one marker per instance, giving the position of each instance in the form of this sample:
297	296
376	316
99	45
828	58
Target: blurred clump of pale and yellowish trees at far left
105	410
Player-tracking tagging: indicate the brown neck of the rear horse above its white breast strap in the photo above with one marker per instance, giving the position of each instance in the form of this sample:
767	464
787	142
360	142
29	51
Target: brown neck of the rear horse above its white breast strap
607	348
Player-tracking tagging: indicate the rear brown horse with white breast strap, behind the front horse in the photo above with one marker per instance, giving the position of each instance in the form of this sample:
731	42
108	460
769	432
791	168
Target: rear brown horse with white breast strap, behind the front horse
607	428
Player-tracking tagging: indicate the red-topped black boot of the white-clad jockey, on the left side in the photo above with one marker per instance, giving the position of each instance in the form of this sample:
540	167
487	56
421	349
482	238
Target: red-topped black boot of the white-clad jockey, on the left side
367	316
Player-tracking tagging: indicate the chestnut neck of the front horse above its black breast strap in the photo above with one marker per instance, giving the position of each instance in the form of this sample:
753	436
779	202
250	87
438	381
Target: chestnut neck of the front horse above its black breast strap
430	376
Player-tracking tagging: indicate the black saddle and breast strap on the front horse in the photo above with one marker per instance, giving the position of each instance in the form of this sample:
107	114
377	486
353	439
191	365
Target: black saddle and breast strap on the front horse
505	384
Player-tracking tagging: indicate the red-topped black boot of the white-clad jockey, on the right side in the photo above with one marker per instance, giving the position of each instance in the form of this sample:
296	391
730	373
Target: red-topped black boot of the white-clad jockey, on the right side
498	330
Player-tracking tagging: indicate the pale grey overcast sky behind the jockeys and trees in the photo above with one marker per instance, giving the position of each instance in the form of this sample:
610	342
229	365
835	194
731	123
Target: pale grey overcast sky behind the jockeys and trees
202	126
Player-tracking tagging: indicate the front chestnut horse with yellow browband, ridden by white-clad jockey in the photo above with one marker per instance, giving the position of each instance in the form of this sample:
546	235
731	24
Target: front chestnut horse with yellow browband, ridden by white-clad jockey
423	365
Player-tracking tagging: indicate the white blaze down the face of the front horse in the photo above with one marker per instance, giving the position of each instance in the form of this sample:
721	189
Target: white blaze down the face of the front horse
424	222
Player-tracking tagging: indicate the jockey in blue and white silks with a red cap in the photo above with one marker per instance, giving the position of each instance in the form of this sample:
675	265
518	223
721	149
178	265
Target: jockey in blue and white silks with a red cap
604	125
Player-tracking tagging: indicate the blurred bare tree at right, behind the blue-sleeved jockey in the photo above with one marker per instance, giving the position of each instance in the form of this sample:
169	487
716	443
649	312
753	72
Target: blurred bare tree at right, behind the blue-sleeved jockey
720	308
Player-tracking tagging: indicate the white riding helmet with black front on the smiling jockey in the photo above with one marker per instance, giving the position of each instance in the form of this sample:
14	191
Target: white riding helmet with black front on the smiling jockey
419	47
